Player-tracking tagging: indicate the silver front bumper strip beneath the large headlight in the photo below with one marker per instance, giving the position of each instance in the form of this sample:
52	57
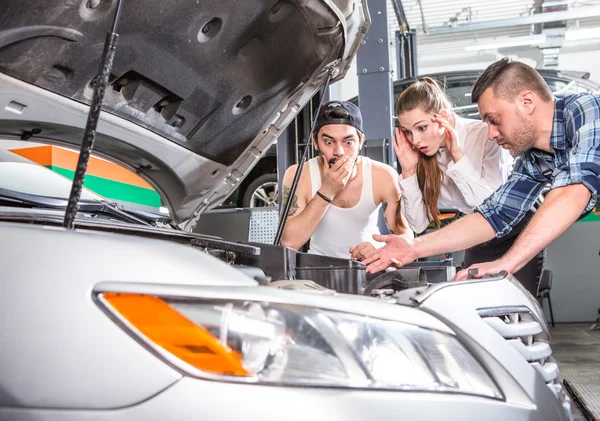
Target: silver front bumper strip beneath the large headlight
193	399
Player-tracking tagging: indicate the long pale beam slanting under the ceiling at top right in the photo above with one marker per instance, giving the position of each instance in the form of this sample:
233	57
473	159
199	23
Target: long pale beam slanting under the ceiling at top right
577	13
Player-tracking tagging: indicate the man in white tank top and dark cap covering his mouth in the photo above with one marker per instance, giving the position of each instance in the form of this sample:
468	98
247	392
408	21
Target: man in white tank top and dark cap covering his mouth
337	201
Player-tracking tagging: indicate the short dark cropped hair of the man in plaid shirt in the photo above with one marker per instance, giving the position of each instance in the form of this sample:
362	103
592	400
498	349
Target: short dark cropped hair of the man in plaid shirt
508	79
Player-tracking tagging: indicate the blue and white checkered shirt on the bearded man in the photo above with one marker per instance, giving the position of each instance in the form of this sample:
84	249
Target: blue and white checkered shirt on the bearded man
575	139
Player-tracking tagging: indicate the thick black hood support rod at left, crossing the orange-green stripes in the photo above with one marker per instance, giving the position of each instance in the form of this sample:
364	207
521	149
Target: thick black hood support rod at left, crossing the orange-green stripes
100	82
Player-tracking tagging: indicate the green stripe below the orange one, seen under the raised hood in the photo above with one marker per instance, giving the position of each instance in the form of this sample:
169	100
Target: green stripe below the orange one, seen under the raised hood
114	189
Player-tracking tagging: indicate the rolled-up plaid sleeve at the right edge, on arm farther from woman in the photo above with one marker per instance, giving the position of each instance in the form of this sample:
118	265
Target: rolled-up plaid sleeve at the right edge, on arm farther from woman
584	162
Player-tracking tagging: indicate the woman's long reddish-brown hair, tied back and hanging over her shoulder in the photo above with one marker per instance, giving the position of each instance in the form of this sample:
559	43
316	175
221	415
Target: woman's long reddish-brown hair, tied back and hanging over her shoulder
430	97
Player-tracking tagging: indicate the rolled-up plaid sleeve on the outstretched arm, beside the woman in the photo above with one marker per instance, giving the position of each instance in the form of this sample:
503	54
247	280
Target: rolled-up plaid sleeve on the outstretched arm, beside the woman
507	206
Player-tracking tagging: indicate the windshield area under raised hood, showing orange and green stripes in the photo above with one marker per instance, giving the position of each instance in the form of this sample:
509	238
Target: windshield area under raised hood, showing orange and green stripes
32	172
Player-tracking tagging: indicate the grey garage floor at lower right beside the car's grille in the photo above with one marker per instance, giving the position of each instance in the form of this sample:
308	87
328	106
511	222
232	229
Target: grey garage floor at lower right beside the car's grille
577	350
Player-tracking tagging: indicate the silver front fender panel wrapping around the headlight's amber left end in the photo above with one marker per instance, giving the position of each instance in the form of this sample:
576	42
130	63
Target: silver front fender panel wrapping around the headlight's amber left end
65	352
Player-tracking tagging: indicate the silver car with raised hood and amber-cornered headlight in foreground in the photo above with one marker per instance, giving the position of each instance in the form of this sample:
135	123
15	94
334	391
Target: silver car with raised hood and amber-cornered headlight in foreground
131	316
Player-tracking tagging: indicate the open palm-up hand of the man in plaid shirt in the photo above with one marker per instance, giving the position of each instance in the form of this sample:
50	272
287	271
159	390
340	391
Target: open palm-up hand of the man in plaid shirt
398	252
